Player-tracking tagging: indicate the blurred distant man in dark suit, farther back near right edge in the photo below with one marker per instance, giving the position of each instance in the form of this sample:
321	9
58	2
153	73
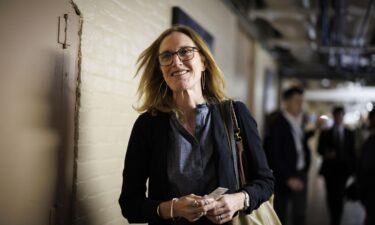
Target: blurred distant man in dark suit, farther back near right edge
336	146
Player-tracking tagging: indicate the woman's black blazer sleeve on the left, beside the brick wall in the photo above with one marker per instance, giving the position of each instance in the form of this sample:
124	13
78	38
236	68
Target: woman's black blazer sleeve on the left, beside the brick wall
135	206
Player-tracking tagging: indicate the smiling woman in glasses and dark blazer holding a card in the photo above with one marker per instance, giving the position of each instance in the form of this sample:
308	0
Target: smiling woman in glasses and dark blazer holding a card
178	143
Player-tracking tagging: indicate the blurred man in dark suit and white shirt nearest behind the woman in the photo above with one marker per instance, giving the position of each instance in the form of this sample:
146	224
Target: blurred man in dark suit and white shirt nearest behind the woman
289	156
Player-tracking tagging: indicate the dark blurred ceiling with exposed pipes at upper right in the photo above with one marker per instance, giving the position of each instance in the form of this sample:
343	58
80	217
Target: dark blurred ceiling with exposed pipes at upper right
332	39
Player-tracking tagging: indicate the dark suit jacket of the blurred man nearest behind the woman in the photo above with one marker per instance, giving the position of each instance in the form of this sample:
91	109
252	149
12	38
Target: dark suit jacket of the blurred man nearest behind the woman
281	150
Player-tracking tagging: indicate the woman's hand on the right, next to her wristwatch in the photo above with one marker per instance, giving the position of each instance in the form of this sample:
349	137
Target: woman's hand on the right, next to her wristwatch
225	207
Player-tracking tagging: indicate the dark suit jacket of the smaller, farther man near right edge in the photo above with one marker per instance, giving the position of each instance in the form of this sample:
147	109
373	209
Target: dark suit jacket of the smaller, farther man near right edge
344	162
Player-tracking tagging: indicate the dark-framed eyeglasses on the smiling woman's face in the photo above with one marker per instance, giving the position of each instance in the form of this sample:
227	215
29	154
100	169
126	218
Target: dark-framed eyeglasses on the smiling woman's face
184	54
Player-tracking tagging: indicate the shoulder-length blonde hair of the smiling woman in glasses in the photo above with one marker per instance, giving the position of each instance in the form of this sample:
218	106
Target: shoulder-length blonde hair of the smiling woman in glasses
154	92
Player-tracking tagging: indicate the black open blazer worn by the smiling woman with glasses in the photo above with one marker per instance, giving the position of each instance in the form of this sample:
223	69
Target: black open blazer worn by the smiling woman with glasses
146	159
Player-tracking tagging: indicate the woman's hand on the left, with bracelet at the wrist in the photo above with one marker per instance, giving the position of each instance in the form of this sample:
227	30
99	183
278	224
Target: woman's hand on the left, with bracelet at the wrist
190	207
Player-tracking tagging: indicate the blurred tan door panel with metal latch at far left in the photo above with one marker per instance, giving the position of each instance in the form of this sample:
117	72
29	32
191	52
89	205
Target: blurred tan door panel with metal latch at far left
38	81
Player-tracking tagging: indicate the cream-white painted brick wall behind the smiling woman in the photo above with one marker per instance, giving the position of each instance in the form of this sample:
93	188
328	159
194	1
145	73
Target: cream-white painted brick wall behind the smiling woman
114	34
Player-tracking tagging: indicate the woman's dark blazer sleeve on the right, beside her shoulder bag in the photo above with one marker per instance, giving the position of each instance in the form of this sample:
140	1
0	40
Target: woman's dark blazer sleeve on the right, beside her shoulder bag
261	185
